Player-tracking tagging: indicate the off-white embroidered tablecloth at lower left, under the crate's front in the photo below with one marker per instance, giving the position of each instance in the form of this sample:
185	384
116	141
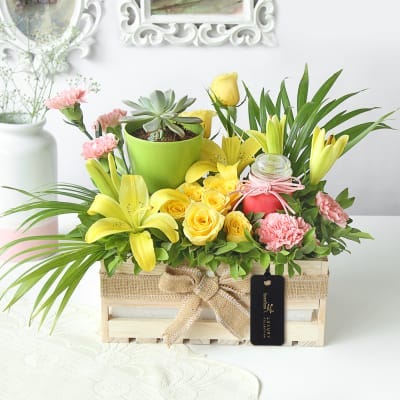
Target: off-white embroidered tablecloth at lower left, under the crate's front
72	364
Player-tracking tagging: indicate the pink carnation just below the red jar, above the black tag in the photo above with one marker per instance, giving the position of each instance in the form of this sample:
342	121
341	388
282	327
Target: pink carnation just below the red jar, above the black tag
281	230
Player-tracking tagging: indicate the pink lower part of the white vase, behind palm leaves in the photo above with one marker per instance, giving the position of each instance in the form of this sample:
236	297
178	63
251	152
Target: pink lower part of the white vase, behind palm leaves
8	235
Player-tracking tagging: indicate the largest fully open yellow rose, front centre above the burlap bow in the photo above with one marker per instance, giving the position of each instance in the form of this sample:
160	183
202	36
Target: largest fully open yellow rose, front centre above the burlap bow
202	223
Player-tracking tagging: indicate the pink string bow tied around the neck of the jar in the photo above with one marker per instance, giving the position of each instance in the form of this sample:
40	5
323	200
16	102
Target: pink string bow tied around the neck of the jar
255	186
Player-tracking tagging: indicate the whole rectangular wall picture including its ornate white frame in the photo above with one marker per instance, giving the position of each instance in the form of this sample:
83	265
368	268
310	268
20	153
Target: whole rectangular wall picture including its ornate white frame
197	22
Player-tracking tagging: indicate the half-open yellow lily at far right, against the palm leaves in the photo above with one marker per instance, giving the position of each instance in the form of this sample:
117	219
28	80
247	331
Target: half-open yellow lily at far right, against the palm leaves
324	153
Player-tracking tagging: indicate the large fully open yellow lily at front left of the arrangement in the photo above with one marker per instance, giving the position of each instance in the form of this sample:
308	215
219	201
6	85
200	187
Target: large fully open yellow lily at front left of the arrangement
134	214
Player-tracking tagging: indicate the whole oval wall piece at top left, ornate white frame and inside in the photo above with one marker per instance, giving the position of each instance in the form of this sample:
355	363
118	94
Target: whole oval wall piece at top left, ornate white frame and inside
77	21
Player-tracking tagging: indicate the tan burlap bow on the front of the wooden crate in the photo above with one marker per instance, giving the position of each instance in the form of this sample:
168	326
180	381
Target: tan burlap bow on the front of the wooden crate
221	293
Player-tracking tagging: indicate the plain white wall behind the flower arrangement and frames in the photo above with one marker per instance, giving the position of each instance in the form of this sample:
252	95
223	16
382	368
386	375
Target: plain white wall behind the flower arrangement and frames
361	36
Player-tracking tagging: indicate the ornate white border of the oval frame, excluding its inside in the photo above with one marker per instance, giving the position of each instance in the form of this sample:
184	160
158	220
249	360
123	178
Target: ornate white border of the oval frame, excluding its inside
82	26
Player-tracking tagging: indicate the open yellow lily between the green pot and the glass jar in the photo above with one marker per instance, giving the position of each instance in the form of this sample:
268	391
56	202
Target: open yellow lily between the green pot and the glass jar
232	152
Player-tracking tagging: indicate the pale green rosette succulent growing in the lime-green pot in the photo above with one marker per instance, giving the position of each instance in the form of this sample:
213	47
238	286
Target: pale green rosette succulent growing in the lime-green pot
160	112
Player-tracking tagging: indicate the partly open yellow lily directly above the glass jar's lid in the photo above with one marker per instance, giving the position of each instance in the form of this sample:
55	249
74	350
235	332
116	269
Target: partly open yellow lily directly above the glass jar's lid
271	141
